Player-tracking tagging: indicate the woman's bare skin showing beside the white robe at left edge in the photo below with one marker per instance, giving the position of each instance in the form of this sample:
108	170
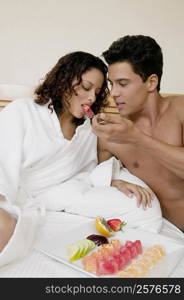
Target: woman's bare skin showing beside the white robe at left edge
7	226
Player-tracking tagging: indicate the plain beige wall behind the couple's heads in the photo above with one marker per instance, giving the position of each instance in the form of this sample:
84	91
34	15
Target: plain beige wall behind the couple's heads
35	34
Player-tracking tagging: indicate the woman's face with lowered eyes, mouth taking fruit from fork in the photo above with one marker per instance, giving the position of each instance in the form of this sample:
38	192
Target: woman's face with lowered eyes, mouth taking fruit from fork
86	92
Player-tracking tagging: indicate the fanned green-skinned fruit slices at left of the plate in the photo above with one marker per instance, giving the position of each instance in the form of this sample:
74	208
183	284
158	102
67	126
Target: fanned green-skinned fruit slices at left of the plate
80	249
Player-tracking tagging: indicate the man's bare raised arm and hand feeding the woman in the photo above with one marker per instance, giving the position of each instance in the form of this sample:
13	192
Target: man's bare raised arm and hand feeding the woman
122	131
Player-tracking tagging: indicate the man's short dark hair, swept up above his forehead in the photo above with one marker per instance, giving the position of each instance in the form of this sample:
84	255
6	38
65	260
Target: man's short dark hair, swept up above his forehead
142	52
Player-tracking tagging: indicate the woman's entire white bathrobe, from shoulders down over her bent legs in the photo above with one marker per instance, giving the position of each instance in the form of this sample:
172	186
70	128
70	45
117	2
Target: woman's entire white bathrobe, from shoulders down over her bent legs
41	172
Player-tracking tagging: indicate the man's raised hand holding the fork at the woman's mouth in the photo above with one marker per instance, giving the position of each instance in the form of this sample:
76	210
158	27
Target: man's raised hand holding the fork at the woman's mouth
114	129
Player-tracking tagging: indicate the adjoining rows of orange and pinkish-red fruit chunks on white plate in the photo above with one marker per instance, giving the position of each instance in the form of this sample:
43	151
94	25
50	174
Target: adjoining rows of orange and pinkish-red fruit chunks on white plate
112	257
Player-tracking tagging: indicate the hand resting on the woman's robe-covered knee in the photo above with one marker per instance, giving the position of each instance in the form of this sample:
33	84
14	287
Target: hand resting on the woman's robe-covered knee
144	195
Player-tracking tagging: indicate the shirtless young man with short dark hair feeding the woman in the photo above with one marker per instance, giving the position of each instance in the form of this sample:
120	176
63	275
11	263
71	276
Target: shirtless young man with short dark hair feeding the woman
148	137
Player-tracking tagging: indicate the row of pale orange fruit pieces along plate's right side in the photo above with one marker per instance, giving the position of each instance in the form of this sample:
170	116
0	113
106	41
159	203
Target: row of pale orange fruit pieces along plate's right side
145	263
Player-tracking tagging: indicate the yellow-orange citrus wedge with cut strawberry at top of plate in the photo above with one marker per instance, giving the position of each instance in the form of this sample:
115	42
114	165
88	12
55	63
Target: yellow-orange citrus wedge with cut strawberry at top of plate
108	227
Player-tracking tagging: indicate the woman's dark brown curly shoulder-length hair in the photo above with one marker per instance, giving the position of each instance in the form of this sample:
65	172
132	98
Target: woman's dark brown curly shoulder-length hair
58	83
